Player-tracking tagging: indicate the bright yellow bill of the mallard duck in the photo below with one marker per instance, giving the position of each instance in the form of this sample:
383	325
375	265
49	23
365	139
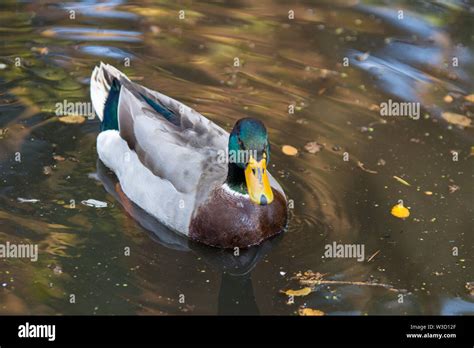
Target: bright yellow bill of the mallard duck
258	184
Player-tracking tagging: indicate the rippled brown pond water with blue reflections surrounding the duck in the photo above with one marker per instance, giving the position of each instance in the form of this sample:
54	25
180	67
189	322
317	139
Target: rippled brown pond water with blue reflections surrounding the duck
318	77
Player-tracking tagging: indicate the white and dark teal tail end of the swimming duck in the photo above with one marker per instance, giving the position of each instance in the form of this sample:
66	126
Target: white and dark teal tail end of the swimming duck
105	90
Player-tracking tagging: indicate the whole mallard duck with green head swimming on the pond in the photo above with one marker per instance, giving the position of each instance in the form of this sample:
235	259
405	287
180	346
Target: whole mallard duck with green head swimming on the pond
184	170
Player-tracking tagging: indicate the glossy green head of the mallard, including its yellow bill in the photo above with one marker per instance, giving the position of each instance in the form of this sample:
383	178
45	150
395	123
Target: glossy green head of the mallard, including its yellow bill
249	155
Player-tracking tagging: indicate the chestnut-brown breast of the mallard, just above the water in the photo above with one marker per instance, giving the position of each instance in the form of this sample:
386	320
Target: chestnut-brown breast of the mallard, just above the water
229	221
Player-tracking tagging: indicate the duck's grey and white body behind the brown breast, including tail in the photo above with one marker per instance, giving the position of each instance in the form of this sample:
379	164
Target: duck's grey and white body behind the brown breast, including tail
167	157
